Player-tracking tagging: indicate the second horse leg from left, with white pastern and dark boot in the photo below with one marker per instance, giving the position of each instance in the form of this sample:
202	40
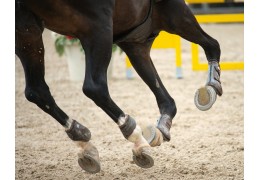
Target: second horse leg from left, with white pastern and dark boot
98	49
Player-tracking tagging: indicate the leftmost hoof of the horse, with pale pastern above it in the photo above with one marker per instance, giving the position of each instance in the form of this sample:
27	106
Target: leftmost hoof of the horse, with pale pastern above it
89	160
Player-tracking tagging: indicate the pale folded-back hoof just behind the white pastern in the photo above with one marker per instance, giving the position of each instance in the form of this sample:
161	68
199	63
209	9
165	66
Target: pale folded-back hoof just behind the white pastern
153	135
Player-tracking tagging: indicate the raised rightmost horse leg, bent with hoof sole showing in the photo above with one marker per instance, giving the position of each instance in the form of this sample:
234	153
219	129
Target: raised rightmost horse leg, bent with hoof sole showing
182	22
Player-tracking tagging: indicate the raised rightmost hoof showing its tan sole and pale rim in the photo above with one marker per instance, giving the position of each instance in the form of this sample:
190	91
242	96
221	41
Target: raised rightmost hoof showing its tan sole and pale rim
205	97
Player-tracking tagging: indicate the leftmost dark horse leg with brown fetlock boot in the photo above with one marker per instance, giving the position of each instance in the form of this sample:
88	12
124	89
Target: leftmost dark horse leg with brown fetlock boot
29	48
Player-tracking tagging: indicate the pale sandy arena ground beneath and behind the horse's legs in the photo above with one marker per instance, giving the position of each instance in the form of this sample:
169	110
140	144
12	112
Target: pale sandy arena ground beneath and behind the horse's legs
205	145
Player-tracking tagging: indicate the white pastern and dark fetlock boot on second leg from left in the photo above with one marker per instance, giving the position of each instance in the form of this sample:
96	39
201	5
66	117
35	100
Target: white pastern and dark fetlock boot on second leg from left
132	132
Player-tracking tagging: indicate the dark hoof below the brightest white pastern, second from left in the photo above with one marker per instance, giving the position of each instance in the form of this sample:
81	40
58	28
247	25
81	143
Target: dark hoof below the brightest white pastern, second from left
143	160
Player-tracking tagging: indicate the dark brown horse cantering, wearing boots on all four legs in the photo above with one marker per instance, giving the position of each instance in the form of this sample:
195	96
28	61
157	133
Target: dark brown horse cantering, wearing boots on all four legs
132	25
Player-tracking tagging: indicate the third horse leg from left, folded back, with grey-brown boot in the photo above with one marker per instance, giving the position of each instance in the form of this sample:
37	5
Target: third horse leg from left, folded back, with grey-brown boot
139	55
